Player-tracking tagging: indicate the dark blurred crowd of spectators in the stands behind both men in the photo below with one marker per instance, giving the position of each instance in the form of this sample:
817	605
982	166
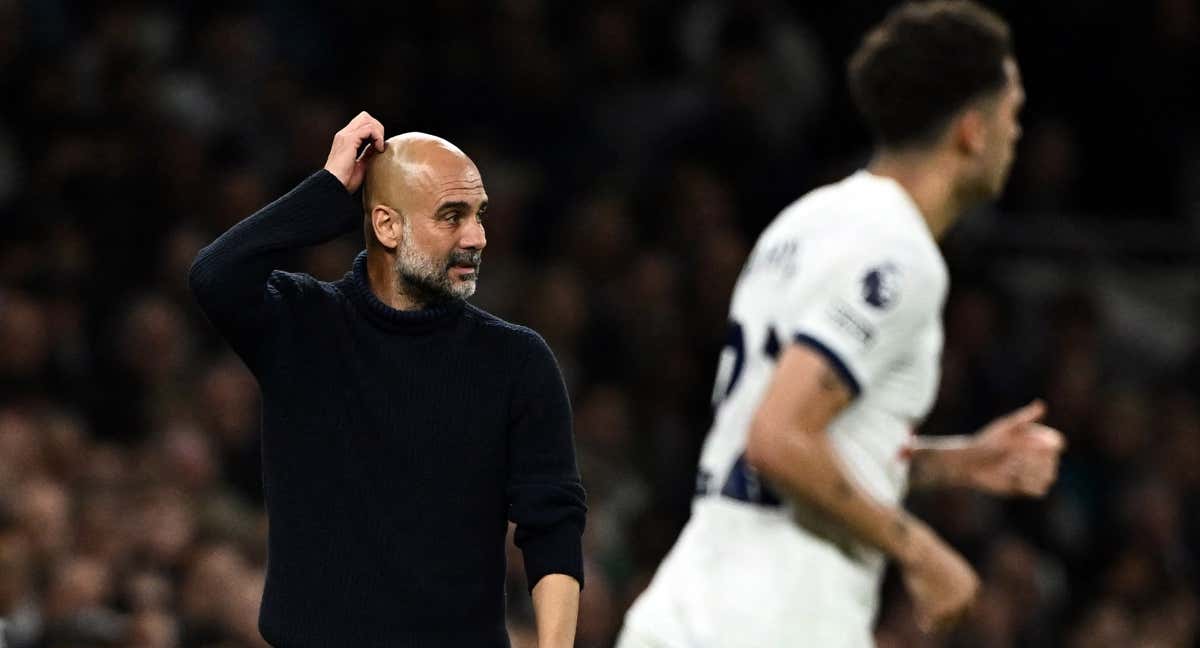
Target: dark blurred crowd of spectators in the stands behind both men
632	153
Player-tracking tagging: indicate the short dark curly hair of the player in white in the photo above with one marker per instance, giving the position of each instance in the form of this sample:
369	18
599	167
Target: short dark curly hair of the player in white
923	64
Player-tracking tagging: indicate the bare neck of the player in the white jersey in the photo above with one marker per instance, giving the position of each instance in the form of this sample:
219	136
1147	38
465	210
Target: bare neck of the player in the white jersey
929	181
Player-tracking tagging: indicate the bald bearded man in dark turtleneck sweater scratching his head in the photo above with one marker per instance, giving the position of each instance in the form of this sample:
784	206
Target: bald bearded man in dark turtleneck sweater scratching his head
403	428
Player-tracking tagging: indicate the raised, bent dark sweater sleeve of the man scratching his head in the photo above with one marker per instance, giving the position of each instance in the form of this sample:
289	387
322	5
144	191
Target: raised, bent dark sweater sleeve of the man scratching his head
230	278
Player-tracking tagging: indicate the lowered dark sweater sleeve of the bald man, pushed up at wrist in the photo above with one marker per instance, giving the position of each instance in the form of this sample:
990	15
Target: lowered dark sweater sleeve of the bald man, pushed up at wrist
547	499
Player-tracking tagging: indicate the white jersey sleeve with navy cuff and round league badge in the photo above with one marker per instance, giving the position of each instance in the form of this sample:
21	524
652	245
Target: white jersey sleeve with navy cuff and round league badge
863	309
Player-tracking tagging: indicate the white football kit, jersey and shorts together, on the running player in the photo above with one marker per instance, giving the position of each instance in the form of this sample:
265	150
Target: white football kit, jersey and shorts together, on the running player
854	272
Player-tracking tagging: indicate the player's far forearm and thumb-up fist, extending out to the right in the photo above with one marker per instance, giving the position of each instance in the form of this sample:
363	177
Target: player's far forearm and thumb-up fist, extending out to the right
1013	455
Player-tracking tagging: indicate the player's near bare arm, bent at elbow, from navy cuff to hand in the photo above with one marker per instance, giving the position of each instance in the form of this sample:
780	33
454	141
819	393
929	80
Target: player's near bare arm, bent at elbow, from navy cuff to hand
790	447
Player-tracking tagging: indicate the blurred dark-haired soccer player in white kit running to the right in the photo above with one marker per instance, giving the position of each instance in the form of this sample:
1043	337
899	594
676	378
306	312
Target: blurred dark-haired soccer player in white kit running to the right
832	359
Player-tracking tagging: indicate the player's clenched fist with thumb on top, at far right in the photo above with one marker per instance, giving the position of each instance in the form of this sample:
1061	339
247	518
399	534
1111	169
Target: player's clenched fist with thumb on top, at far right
1016	455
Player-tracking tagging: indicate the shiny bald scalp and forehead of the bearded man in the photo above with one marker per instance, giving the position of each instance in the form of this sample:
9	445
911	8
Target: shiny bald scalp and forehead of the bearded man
415	169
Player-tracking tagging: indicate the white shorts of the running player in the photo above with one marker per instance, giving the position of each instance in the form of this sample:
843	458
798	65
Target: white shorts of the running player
742	575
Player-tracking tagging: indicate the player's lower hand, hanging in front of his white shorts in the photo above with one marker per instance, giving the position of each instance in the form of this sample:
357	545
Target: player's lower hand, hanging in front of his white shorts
941	584
